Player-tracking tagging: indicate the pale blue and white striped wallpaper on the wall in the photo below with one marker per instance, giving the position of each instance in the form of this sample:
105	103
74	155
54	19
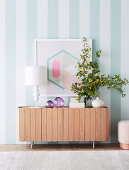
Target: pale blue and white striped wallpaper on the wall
21	21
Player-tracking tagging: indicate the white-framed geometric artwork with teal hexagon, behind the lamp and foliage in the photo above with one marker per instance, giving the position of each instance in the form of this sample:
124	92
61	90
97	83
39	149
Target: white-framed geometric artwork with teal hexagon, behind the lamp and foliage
59	58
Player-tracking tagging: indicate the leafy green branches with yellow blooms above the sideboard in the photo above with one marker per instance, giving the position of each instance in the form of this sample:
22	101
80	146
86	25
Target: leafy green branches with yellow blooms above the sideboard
90	78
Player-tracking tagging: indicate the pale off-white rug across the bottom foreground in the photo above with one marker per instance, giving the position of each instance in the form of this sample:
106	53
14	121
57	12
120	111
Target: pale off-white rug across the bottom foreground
65	160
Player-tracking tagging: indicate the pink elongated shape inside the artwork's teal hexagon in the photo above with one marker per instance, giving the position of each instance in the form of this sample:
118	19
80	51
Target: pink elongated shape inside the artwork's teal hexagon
56	69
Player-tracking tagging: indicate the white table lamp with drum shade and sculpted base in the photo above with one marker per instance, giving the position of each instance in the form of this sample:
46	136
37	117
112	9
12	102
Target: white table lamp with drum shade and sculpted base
34	77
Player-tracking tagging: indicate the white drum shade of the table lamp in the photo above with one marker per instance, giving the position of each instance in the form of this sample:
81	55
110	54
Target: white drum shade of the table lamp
34	75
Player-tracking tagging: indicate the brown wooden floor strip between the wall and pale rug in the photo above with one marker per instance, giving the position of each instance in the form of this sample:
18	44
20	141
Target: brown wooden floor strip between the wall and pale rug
59	147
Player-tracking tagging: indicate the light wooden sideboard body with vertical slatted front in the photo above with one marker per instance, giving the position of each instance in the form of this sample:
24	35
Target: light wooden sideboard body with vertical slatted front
63	124
